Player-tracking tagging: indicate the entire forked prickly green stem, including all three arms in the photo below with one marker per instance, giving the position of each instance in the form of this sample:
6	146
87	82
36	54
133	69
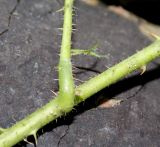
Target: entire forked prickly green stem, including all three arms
67	99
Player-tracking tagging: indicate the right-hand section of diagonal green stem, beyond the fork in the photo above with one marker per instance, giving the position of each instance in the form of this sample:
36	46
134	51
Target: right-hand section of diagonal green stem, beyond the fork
119	71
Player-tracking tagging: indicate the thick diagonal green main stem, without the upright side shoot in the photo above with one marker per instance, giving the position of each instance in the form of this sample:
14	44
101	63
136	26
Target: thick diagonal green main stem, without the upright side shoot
53	109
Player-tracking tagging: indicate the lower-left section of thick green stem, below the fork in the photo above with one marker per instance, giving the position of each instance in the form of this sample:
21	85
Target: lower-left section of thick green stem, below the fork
31	124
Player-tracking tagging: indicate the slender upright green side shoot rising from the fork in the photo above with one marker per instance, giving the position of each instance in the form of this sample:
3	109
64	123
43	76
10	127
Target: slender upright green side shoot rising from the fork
66	83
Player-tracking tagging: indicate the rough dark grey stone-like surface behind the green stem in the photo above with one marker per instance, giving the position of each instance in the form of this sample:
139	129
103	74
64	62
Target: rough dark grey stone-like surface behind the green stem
29	47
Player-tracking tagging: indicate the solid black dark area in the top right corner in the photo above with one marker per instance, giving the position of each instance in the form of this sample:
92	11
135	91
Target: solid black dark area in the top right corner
148	9
